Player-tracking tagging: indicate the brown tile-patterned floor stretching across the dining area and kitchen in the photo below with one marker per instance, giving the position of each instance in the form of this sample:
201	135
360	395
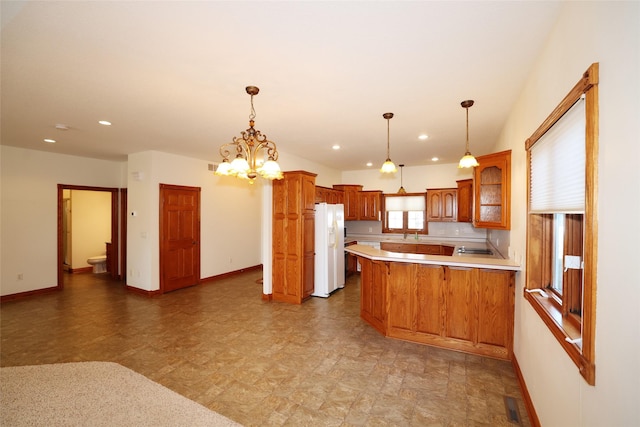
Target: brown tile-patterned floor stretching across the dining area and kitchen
261	363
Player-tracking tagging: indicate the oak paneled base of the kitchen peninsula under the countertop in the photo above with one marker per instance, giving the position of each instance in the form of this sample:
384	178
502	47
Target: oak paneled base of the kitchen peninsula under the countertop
465	309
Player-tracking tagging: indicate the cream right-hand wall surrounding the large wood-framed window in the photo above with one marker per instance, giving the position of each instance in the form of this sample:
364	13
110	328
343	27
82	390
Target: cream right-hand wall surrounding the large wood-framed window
587	32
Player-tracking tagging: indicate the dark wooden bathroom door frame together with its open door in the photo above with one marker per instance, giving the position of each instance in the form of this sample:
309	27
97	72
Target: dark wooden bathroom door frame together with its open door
117	247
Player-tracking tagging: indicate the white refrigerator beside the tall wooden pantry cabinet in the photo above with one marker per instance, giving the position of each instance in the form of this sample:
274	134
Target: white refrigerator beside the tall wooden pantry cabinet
329	241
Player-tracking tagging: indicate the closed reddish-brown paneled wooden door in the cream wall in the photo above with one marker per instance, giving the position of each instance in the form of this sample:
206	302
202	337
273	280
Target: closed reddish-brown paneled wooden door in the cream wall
179	237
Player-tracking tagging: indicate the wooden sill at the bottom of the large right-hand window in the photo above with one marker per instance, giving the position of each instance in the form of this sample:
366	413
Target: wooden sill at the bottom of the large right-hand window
563	330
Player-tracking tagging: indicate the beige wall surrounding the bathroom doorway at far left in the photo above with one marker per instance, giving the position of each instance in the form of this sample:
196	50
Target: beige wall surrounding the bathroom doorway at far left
29	228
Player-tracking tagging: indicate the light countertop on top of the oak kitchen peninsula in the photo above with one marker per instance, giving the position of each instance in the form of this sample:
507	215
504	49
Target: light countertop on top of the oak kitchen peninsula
495	262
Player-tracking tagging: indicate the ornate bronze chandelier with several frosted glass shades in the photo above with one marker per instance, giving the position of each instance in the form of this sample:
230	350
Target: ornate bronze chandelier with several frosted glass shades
250	150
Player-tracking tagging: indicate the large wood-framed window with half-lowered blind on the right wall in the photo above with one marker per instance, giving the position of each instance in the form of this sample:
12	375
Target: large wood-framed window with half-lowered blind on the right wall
562	221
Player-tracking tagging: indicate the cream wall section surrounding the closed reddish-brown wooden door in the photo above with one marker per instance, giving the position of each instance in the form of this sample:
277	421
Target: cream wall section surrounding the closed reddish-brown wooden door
230	218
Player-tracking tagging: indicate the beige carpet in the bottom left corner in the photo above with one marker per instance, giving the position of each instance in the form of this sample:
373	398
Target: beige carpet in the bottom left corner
94	394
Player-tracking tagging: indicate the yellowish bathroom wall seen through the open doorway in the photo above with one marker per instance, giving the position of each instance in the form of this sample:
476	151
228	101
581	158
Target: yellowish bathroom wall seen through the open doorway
90	225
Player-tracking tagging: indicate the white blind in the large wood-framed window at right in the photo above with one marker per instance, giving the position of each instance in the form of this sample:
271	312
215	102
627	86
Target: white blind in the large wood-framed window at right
558	165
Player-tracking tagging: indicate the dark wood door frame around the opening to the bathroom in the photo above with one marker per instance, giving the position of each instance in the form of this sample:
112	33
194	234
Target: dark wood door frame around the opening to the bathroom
116	242
